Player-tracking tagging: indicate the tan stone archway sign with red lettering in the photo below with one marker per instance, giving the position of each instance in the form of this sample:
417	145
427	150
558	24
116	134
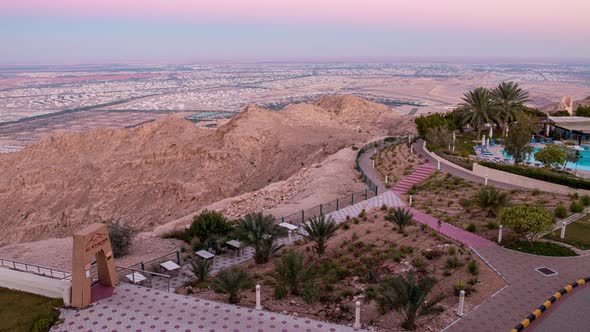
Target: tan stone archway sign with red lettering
92	241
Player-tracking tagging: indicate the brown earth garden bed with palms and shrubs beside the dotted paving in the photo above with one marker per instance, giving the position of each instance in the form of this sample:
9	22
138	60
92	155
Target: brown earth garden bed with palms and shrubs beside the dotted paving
360	260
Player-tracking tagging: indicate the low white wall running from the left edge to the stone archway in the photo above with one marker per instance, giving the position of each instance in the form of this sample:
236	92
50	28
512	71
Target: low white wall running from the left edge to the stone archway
35	284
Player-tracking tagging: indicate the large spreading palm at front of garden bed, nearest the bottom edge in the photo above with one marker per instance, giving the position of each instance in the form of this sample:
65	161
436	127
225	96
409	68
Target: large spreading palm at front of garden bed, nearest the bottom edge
408	297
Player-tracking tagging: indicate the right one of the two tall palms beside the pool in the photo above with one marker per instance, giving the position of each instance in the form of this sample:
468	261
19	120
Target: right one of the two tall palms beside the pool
511	99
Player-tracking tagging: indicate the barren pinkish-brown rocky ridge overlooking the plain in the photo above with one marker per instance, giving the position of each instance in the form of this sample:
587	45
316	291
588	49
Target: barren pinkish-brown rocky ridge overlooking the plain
164	170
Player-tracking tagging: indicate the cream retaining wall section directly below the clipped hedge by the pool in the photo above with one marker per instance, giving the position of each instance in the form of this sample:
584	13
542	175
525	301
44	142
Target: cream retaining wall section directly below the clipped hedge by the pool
523	181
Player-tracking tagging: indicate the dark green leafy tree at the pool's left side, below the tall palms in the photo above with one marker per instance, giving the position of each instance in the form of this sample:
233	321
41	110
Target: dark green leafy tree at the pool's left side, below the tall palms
517	142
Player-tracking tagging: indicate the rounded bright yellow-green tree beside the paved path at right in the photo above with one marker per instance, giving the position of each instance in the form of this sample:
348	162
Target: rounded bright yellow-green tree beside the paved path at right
529	222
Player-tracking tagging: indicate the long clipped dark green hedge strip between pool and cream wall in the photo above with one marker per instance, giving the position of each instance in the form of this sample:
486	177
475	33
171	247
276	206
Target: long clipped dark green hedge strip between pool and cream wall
542	174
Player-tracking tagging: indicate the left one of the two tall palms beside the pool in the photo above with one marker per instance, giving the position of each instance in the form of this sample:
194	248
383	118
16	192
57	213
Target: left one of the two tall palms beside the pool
479	108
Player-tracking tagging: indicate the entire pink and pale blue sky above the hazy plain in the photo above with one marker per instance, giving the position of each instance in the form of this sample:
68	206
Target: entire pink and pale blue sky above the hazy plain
183	31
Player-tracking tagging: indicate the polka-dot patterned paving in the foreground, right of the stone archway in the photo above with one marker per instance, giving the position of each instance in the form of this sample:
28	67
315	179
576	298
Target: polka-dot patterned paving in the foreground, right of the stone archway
134	308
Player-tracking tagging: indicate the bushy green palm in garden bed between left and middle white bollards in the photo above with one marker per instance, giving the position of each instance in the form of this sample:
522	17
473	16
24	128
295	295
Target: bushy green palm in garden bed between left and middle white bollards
291	273
